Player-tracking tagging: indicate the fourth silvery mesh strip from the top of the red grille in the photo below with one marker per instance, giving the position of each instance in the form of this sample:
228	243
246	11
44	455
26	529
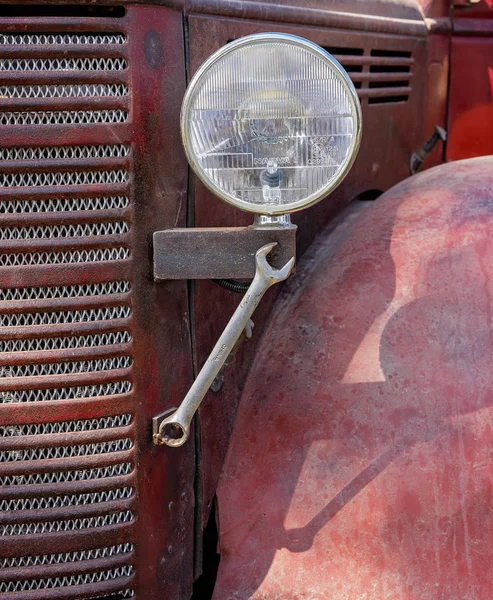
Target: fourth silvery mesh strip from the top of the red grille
73	117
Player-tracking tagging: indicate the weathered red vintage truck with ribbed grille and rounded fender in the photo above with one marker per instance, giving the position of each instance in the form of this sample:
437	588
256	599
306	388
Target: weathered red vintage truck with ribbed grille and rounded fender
345	450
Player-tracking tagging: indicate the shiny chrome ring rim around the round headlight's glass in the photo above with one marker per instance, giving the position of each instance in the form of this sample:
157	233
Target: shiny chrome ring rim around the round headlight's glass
339	72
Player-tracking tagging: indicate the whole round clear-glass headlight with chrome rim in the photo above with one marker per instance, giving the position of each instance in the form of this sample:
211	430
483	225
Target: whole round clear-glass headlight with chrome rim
271	123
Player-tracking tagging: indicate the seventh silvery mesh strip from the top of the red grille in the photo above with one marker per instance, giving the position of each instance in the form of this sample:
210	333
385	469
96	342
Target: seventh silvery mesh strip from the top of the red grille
64	204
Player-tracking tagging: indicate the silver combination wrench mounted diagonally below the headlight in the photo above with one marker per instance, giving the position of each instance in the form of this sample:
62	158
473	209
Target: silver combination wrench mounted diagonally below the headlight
175	429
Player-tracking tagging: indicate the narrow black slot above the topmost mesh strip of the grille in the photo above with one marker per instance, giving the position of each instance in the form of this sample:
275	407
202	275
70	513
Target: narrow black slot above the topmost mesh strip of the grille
61	10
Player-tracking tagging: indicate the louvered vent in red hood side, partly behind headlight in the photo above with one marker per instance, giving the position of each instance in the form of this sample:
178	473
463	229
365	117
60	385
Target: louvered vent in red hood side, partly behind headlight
382	76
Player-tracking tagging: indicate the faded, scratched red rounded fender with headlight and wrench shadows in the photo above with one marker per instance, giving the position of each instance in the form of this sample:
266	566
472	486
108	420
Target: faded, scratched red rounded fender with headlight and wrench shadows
361	461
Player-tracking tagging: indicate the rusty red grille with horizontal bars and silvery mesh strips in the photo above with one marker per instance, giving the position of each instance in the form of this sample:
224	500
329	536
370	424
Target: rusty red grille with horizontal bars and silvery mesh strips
68	482
